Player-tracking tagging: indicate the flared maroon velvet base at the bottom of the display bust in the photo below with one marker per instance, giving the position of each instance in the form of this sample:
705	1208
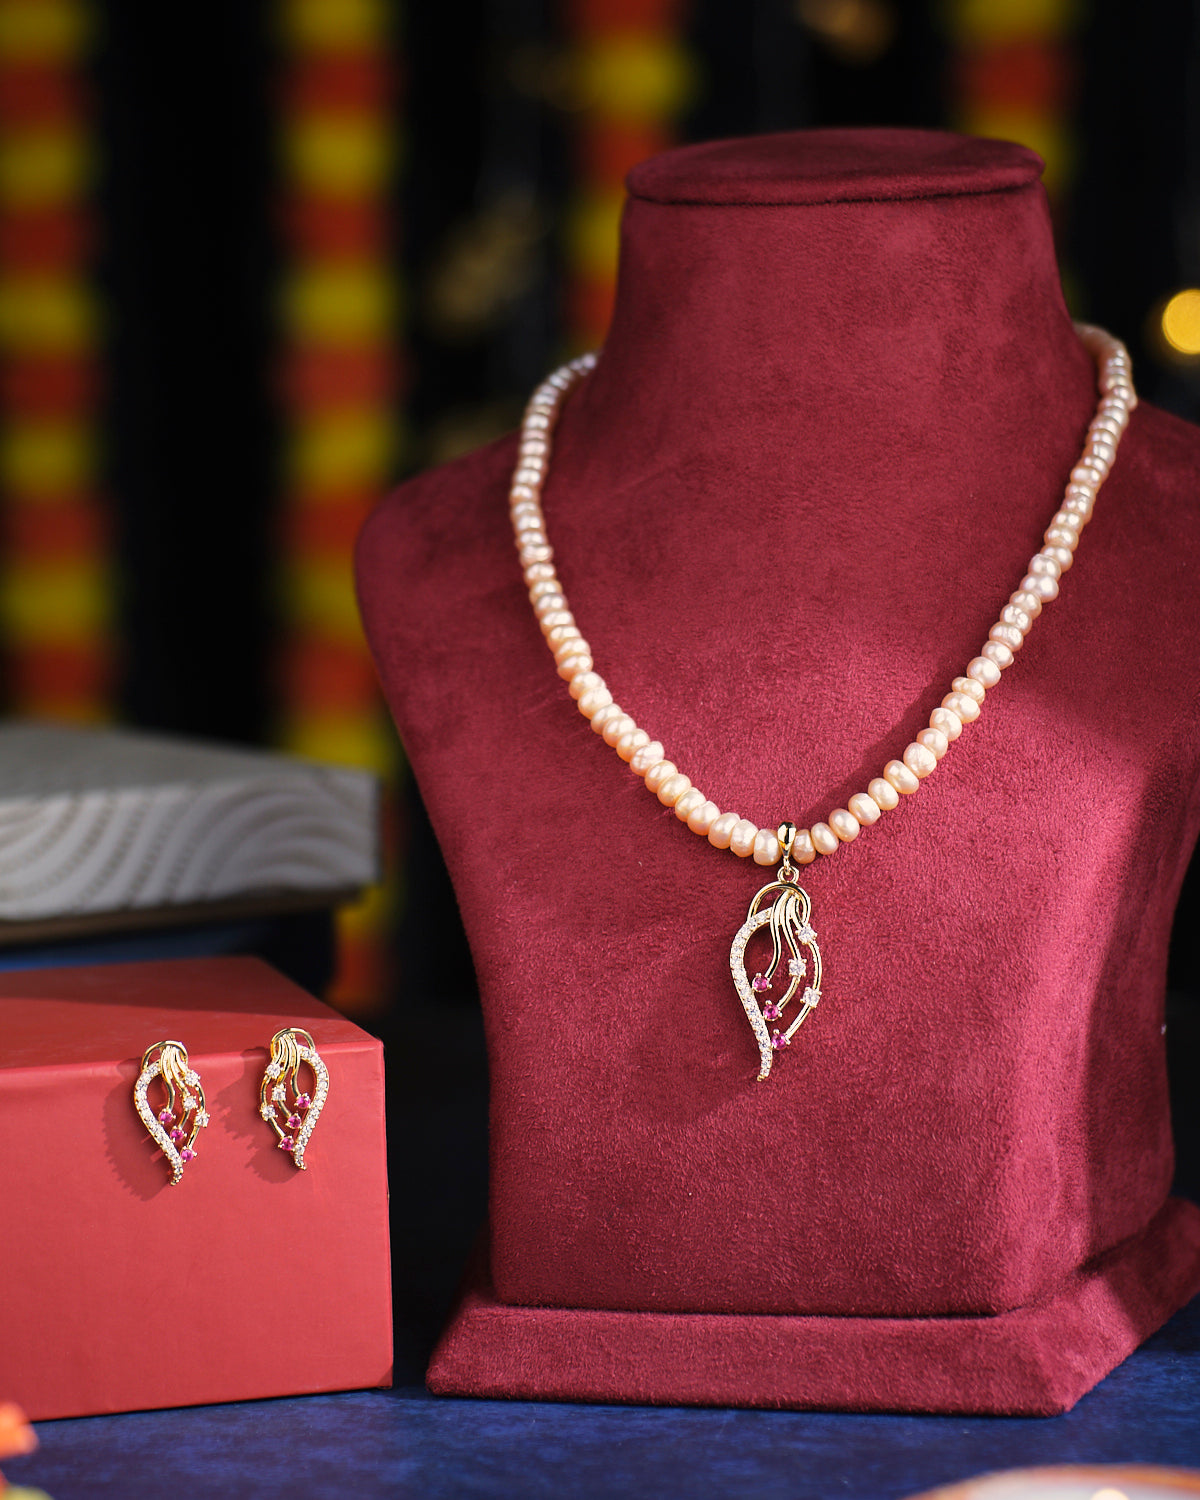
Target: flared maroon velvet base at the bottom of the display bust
1034	1361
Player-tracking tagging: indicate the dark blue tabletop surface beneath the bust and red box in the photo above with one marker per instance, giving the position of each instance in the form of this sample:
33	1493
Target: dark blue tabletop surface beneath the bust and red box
406	1444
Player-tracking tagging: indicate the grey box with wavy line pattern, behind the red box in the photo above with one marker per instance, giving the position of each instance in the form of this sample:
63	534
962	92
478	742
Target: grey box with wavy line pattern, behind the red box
103	821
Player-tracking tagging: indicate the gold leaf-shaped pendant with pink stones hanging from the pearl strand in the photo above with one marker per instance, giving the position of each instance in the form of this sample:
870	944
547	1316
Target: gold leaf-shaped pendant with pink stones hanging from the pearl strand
787	908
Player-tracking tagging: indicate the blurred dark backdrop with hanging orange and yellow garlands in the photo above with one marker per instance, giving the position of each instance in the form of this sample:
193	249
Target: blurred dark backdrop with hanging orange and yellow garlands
260	266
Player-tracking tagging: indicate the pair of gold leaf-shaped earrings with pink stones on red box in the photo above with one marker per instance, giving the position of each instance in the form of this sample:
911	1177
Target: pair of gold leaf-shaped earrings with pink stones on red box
290	1108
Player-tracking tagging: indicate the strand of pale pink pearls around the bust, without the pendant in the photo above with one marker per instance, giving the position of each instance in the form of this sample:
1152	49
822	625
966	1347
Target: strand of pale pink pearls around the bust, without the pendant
962	704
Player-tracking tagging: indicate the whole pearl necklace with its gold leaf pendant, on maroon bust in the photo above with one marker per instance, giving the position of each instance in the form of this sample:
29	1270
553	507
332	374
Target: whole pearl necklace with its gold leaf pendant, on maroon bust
782	905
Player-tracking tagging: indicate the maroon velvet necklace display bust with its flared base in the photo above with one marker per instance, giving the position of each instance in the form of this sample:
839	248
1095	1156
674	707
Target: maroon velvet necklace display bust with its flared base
838	407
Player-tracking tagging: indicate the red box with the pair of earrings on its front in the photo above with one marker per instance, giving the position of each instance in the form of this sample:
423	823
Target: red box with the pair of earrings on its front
250	1279
